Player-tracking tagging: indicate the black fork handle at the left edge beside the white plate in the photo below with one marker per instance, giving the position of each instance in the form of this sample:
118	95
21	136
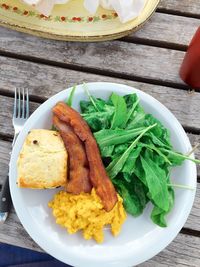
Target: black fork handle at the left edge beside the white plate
5	198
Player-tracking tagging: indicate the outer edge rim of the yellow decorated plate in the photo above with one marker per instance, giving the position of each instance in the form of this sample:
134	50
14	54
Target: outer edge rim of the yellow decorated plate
78	37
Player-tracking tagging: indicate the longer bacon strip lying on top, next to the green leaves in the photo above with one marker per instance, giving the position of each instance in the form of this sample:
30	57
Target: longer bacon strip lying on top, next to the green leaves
98	175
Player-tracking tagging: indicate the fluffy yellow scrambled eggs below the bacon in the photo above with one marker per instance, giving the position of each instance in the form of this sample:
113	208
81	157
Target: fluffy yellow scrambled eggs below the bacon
85	212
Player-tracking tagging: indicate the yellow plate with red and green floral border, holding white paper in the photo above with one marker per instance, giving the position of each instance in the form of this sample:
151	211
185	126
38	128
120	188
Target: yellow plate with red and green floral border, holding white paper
70	21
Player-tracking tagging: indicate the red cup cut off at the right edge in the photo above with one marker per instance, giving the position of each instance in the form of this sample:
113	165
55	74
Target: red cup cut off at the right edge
190	68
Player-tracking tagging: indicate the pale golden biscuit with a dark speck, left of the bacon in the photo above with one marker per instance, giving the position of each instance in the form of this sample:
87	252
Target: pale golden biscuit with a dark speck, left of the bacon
36	162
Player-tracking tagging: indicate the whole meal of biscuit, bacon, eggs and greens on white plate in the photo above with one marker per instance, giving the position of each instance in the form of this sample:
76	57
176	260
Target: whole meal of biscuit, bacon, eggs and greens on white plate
120	159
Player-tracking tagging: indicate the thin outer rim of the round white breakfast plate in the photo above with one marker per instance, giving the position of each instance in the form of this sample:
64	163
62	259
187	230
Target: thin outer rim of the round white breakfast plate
85	261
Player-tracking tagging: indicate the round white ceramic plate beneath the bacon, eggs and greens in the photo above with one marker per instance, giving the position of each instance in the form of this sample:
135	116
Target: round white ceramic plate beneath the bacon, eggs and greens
140	239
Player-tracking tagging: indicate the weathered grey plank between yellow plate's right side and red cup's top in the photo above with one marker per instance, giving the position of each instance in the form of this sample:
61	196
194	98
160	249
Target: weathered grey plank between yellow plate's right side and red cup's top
167	30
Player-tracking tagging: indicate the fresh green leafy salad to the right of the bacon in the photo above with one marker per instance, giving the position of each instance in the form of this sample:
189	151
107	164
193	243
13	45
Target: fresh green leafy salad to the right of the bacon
136	151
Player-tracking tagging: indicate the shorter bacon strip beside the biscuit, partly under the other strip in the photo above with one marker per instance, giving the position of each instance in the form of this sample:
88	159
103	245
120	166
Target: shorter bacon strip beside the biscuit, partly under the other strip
79	180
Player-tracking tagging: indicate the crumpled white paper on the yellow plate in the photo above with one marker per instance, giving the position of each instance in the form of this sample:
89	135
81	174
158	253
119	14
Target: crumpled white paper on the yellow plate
126	10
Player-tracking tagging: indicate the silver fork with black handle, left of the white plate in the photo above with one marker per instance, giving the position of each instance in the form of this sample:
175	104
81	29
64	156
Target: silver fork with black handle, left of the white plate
20	115
